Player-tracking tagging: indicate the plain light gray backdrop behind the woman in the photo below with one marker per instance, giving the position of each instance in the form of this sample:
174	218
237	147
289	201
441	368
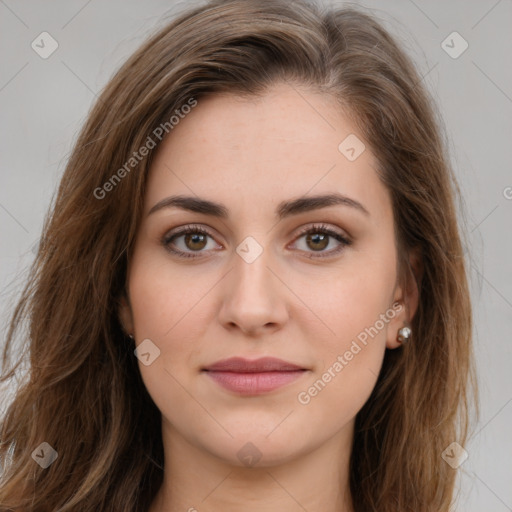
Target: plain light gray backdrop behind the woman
45	101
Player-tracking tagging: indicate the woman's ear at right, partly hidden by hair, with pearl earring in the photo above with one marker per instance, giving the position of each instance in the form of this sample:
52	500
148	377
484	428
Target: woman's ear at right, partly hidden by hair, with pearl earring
406	297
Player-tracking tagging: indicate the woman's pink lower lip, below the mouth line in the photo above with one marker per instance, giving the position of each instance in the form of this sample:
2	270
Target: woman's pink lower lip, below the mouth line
254	383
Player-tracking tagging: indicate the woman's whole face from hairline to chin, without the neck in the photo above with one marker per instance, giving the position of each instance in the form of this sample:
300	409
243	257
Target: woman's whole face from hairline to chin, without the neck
311	283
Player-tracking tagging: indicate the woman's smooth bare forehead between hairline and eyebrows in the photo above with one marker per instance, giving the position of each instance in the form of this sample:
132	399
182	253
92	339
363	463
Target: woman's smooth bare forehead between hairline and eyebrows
257	151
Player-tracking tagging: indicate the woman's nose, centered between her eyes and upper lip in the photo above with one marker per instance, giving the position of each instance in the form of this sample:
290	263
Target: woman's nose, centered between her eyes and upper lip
254	298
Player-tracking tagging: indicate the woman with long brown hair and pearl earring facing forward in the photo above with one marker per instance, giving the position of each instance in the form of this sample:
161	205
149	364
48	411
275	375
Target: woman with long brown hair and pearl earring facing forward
251	291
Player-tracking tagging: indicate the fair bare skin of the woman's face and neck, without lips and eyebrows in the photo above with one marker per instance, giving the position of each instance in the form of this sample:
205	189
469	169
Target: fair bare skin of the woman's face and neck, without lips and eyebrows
289	303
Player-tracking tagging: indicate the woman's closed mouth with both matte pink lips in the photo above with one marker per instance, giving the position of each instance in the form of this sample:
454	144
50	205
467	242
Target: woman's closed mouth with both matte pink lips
246	377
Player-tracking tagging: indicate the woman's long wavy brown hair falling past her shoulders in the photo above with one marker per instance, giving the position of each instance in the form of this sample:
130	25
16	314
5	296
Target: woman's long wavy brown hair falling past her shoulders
83	393
